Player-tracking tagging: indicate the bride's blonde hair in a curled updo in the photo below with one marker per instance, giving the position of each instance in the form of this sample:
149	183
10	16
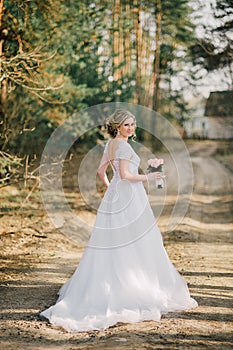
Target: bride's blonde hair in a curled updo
116	119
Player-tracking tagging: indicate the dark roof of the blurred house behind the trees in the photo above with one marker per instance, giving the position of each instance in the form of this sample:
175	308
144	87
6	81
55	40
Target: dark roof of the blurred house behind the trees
219	104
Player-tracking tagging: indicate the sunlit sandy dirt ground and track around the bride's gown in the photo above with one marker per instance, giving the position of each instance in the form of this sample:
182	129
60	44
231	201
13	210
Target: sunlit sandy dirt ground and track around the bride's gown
36	259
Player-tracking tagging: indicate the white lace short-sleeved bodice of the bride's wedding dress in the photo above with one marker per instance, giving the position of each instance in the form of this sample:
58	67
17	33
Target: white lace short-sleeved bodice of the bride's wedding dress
123	151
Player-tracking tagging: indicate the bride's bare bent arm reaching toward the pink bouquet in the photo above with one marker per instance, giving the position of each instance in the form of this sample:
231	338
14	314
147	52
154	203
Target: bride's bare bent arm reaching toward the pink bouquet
127	175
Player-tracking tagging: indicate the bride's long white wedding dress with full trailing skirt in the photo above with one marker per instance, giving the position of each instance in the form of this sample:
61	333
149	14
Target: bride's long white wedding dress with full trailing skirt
125	274
